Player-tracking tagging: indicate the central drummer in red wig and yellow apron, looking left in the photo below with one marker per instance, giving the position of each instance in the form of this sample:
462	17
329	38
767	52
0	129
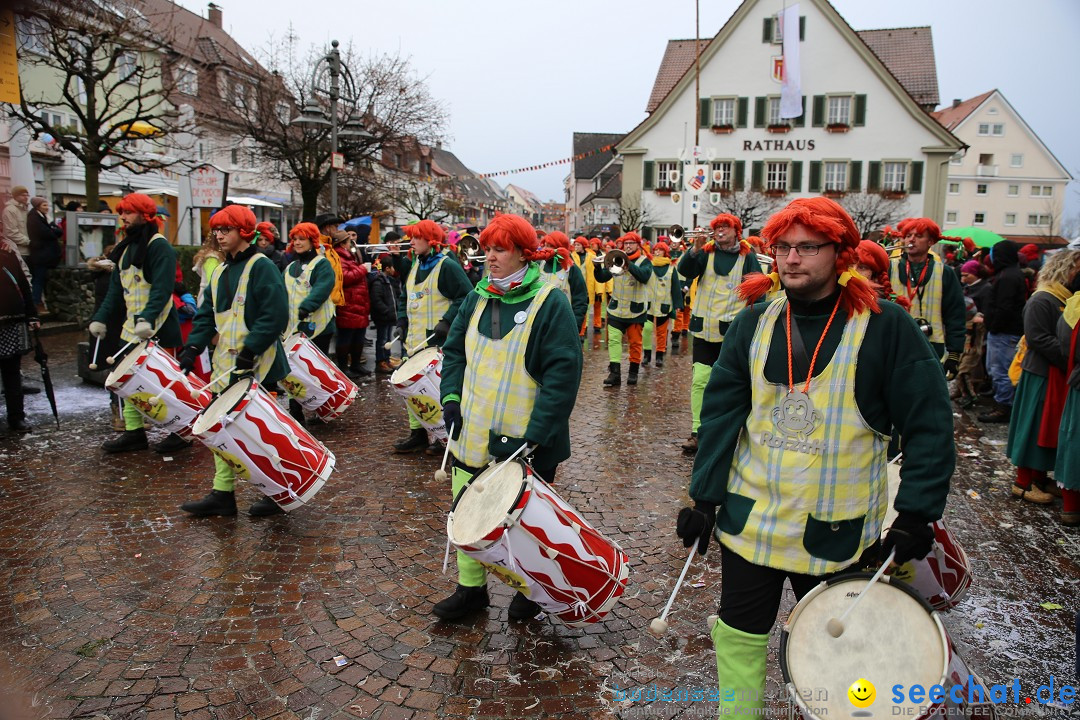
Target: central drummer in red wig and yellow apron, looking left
511	373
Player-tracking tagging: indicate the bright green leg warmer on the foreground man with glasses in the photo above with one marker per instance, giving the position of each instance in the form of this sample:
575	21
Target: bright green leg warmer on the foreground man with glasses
740	671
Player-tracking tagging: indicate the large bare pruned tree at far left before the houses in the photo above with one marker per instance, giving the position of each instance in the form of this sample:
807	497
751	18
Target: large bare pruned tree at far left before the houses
104	64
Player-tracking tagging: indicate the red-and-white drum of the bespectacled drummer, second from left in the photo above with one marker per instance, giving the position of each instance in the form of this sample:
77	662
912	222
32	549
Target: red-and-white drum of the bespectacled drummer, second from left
263	444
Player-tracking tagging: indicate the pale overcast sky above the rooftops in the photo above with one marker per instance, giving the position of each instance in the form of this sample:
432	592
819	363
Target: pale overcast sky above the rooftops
520	78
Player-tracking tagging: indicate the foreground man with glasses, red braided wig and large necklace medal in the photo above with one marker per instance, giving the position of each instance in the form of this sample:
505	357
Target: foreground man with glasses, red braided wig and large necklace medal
794	430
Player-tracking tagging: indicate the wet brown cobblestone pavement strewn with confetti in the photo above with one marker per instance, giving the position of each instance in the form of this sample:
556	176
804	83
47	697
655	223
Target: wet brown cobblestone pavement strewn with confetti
115	604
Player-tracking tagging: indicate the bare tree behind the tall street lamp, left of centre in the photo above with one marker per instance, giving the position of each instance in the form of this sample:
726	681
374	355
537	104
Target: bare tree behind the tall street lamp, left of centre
383	92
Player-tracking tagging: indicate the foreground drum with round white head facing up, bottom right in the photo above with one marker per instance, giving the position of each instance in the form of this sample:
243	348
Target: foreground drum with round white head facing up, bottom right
820	671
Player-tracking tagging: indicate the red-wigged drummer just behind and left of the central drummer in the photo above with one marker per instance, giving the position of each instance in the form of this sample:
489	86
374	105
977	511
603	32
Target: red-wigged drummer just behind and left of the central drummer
434	293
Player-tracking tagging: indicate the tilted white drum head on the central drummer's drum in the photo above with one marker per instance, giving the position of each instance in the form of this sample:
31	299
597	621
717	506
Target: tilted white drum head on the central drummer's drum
477	514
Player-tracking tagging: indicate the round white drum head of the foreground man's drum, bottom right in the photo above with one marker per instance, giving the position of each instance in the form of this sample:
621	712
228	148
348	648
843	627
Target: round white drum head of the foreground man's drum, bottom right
893	637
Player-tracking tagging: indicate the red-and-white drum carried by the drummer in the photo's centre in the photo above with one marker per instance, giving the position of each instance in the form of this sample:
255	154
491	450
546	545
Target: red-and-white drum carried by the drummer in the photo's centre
519	528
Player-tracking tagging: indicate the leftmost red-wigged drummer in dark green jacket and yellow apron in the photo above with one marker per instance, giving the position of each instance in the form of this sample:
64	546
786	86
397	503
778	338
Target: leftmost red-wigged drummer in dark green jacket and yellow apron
142	288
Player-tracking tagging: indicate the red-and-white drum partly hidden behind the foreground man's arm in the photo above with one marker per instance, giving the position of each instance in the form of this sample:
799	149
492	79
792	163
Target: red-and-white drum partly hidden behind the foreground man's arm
943	577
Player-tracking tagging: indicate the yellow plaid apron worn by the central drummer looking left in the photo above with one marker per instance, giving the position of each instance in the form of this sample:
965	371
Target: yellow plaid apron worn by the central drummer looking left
498	392
